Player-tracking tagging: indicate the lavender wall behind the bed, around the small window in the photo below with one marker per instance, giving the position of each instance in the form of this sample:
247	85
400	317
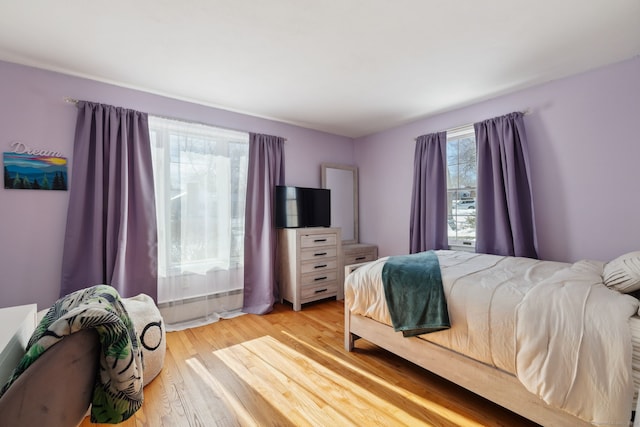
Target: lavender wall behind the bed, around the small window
584	145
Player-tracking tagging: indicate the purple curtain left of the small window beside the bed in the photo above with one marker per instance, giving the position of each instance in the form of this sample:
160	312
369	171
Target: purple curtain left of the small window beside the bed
428	228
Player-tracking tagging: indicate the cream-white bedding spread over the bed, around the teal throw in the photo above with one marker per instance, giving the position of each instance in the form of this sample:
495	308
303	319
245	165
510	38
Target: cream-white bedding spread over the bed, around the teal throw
554	325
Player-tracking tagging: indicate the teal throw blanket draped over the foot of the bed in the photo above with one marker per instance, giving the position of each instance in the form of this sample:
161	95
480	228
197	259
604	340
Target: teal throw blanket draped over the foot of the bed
414	293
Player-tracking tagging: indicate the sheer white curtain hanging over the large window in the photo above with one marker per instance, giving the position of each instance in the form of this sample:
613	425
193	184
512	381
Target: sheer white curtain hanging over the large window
200	175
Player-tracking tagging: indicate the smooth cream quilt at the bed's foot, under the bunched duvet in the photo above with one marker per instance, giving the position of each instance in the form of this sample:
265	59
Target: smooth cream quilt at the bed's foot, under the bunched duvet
471	282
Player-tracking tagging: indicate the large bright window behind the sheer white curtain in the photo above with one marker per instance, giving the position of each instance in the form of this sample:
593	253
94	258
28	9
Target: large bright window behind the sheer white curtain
200	175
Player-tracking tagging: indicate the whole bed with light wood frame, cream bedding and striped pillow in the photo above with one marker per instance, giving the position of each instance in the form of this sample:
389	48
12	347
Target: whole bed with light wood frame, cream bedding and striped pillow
558	343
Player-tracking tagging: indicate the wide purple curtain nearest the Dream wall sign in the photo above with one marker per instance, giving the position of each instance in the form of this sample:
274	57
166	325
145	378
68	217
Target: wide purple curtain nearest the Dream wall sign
111	234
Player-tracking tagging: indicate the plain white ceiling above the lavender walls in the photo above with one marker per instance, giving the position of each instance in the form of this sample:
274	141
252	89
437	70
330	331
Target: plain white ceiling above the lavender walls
348	67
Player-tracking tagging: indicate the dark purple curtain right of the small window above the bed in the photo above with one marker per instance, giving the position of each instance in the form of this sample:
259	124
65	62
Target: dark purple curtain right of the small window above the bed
505	222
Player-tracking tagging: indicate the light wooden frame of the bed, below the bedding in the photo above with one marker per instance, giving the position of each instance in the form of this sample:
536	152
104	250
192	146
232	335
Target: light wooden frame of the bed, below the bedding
489	382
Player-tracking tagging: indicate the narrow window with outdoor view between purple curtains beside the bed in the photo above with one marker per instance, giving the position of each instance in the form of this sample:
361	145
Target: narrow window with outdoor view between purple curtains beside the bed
462	180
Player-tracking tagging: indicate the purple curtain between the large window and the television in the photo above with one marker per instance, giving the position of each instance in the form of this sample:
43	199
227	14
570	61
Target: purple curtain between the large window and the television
266	170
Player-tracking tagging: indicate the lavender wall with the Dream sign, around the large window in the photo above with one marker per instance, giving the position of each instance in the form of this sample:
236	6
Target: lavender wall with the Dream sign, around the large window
33	111
